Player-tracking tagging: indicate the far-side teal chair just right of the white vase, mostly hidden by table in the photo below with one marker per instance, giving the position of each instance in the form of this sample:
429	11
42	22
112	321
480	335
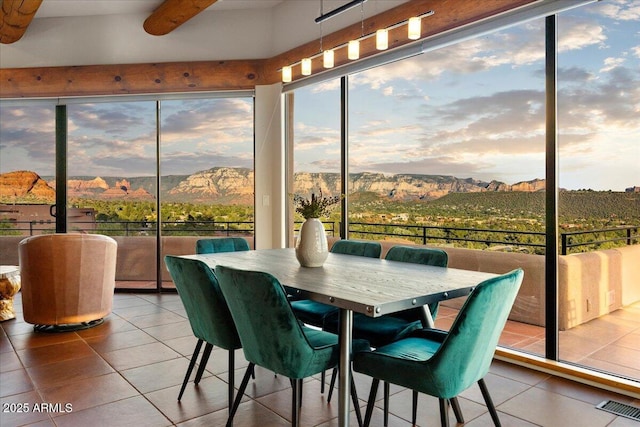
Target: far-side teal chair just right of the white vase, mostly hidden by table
315	313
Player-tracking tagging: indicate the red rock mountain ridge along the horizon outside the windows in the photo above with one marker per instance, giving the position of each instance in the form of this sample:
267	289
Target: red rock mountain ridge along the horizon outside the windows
224	185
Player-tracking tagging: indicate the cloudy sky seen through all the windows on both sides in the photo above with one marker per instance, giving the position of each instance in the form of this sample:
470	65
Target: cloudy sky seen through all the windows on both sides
472	110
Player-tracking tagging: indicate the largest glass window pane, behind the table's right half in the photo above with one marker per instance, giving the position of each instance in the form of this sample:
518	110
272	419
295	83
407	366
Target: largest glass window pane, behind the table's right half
447	149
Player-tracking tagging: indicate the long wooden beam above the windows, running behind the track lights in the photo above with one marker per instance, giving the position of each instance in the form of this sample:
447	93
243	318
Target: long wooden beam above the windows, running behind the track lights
234	75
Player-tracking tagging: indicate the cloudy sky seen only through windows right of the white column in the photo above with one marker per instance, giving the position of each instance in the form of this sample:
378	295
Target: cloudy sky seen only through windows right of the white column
476	109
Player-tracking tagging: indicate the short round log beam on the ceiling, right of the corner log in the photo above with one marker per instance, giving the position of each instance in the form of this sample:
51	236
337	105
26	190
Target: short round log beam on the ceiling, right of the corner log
173	13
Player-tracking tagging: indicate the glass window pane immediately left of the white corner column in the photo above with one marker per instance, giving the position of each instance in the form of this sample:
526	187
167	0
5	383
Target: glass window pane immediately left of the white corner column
207	174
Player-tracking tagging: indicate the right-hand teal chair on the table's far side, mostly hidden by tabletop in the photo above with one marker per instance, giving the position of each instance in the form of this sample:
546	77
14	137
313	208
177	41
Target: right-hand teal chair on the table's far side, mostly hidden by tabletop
380	331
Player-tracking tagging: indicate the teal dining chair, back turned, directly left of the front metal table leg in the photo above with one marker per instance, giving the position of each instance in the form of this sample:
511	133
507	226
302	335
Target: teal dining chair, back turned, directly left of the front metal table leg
272	337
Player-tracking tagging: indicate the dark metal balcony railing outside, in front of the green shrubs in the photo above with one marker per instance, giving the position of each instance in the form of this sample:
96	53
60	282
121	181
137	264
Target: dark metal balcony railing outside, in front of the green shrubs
525	241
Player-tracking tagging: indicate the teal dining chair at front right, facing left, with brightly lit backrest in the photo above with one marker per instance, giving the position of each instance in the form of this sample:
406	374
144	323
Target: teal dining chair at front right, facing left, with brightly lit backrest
443	364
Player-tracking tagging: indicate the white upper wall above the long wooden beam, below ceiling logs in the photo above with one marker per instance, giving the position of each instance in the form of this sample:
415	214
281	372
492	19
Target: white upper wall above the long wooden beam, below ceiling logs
252	33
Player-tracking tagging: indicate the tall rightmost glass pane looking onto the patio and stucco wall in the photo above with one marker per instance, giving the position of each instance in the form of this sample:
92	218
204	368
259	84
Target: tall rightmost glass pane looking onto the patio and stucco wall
599	130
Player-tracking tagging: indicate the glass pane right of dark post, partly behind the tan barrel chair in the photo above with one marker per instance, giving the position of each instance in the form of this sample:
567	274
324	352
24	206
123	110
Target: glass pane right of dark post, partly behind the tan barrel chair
111	185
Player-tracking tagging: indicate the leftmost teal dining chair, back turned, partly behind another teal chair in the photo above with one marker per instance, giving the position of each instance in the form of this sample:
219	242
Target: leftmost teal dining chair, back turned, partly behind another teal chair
208	314
